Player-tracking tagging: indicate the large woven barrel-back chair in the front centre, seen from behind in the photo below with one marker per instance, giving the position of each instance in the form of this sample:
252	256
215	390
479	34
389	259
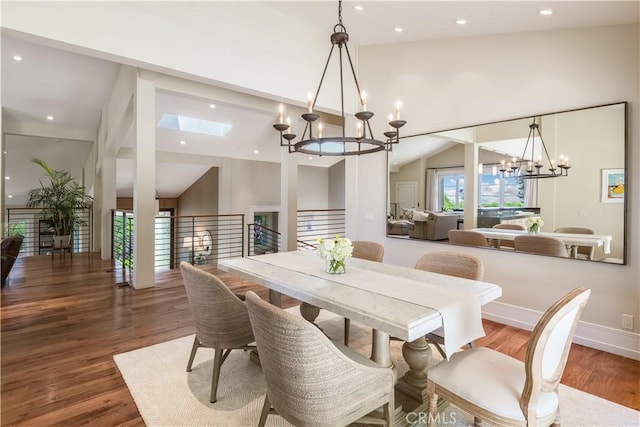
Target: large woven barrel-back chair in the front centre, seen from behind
310	380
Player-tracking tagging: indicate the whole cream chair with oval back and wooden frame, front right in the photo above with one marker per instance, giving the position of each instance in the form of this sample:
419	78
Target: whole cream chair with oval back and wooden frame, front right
502	390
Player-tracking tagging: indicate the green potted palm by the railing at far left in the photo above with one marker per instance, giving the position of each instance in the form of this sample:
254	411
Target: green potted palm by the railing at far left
62	199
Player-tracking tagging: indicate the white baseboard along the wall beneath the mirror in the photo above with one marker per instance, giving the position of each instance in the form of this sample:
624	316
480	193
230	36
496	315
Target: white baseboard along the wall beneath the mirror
616	341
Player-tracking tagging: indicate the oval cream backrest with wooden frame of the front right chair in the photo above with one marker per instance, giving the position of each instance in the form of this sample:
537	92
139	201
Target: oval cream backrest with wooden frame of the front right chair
548	348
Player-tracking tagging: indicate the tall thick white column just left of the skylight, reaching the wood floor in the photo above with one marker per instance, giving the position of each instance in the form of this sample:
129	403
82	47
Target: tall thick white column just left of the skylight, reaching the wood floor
144	177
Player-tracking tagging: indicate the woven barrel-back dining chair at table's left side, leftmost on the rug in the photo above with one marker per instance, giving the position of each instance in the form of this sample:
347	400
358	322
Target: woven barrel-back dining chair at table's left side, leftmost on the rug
222	320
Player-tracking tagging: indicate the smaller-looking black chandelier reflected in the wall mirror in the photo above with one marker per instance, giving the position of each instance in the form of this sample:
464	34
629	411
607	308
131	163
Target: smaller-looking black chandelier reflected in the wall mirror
528	168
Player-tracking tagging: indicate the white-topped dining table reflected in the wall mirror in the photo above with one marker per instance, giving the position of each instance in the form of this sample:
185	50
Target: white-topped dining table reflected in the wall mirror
571	240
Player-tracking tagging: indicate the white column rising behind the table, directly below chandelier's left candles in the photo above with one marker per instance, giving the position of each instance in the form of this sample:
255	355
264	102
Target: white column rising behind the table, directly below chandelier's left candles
288	218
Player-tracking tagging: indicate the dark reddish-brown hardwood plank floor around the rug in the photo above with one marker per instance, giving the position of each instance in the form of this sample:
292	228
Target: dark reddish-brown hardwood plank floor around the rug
62	322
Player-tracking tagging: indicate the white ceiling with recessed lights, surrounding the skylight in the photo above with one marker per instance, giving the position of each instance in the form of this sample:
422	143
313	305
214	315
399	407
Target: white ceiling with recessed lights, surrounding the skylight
73	88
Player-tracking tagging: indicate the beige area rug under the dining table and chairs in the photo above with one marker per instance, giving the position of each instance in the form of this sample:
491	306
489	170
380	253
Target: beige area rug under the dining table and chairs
167	395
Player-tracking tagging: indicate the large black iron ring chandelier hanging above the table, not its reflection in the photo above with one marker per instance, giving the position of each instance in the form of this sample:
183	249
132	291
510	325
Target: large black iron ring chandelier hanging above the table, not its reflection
363	142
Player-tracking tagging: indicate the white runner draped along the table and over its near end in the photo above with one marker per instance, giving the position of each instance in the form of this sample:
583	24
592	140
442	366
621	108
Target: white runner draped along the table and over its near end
460	311
